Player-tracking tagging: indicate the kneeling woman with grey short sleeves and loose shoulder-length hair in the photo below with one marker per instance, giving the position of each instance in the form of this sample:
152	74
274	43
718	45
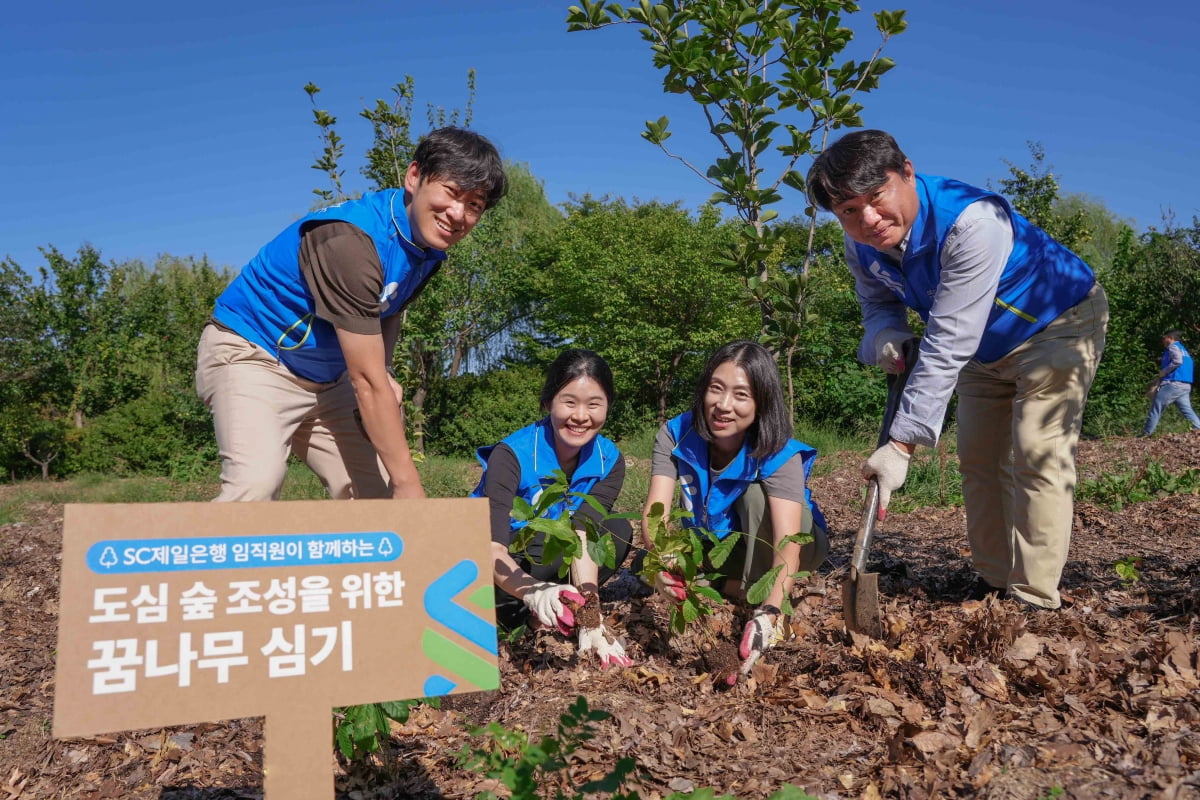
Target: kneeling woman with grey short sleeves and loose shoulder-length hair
741	471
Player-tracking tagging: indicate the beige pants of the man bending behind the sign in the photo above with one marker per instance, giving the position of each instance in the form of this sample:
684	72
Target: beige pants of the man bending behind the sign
262	412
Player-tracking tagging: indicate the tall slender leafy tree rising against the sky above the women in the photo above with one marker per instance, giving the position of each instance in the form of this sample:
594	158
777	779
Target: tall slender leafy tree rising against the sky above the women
758	69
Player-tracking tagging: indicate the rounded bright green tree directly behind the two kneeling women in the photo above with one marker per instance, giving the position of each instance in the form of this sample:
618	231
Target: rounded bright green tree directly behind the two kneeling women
639	286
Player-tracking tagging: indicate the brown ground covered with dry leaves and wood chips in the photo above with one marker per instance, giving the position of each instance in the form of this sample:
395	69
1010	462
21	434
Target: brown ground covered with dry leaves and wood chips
963	699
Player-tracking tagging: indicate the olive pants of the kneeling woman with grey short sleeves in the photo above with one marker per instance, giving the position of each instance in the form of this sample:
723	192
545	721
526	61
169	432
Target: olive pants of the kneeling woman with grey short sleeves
754	554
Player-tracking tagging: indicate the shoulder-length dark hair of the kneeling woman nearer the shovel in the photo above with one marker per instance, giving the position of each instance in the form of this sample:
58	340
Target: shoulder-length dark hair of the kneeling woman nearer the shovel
773	424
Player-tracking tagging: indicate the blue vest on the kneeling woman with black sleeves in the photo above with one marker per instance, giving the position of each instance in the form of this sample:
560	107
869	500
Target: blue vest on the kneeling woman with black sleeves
535	448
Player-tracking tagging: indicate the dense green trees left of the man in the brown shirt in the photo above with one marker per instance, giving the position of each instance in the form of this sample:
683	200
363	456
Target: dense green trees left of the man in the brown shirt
101	377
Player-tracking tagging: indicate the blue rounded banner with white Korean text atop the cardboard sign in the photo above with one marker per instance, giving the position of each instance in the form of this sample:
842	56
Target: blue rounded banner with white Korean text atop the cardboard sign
127	556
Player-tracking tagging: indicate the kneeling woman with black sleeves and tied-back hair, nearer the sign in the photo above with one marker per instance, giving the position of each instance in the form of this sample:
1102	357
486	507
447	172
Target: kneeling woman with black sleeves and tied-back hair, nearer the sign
575	398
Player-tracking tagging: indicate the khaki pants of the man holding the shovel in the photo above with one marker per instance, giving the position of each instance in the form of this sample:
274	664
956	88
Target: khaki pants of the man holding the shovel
1019	420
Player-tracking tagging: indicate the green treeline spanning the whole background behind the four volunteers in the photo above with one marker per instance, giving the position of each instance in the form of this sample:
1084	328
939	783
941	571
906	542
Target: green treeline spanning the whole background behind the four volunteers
98	358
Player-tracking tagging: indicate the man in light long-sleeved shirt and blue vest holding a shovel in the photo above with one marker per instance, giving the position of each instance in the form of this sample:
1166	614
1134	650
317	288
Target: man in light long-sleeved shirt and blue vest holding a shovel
1015	323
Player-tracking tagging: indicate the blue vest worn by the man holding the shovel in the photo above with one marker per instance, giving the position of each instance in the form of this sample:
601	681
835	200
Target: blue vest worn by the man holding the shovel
1041	280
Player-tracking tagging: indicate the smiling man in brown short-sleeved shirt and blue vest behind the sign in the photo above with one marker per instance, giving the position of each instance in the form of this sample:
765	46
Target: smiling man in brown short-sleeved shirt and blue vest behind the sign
297	357
